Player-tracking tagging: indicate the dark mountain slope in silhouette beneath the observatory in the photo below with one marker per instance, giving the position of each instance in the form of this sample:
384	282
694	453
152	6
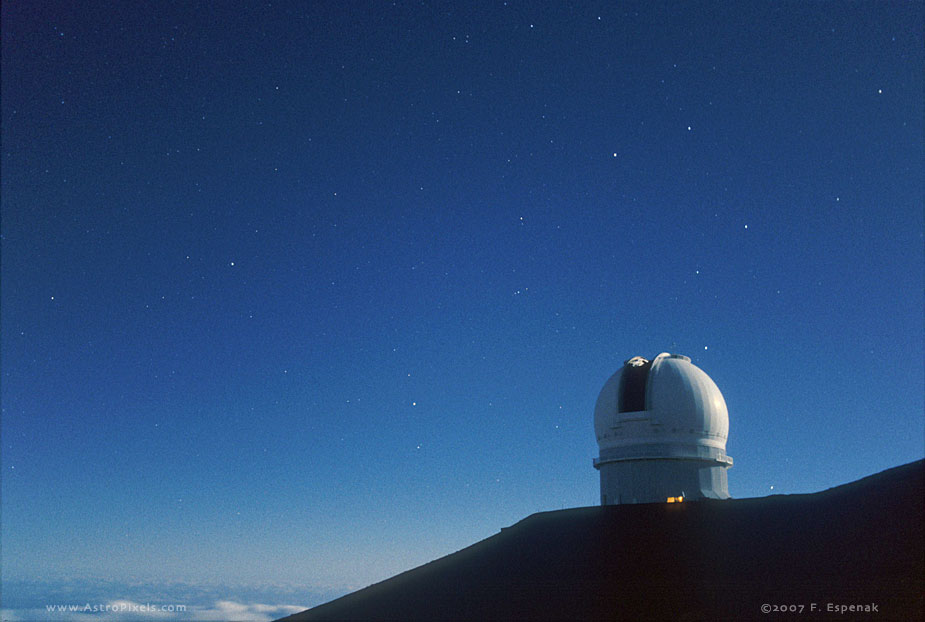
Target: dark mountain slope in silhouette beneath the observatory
857	544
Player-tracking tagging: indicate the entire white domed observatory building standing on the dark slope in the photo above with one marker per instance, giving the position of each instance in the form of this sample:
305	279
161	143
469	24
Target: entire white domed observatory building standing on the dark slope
661	427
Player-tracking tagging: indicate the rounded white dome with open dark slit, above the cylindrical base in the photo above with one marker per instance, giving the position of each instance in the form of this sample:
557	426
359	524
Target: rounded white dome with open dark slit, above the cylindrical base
668	403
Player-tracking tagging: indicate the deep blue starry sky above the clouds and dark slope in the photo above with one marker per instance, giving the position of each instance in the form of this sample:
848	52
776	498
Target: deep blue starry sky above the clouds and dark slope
317	292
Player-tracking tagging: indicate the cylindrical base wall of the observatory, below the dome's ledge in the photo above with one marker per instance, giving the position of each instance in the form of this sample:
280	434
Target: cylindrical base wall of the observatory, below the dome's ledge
653	481
